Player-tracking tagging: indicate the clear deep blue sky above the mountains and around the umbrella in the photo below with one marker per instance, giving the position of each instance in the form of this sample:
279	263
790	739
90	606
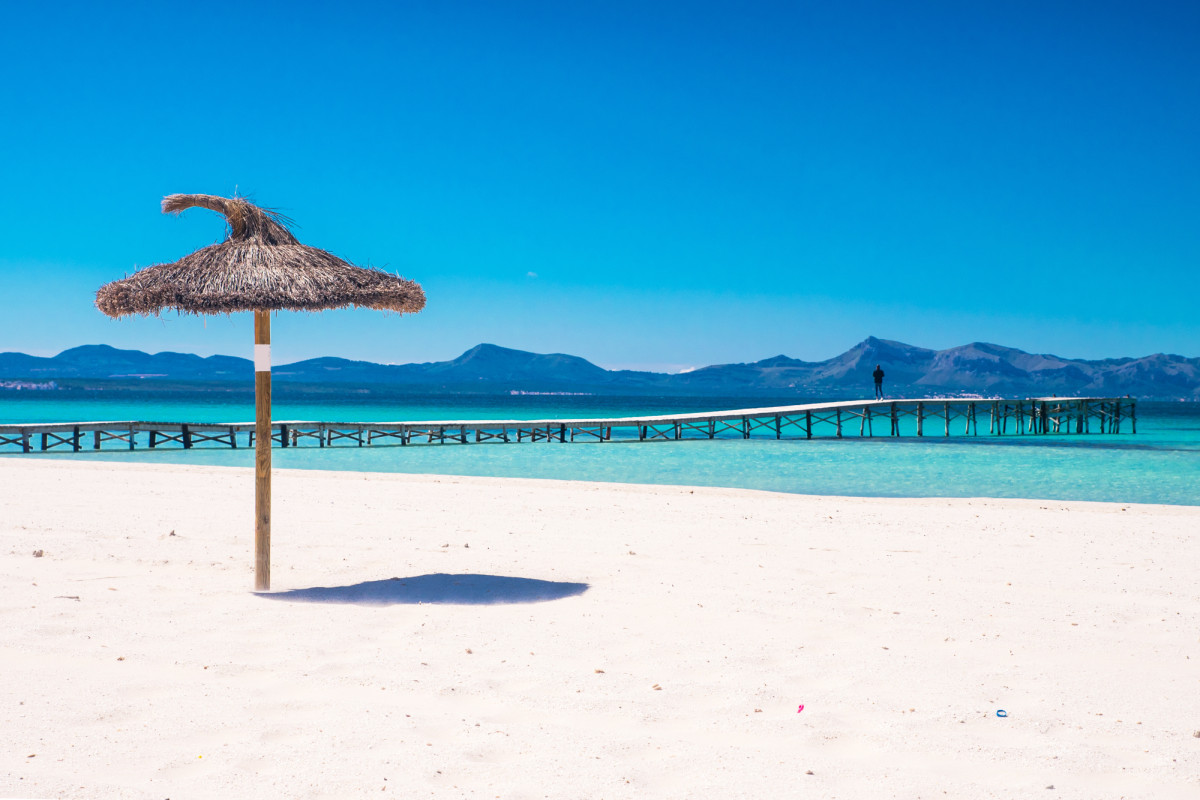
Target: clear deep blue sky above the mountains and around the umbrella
643	184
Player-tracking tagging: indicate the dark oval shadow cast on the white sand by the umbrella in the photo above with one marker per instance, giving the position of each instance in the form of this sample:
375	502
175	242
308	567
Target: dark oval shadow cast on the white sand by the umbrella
440	588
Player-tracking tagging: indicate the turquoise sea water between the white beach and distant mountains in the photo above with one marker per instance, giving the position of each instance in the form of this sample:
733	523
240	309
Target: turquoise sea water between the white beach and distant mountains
1161	464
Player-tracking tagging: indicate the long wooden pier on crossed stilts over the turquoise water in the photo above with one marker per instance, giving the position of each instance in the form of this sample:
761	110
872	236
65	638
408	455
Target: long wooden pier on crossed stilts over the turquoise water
932	417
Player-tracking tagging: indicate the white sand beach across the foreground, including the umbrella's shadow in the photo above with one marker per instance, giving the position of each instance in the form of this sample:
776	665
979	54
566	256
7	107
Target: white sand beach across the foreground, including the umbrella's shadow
139	664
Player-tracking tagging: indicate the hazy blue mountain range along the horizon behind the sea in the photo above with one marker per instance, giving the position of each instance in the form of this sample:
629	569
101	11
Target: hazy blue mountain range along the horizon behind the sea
976	369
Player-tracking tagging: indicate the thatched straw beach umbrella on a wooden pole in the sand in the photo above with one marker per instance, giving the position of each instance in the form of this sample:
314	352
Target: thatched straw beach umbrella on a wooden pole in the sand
261	268
